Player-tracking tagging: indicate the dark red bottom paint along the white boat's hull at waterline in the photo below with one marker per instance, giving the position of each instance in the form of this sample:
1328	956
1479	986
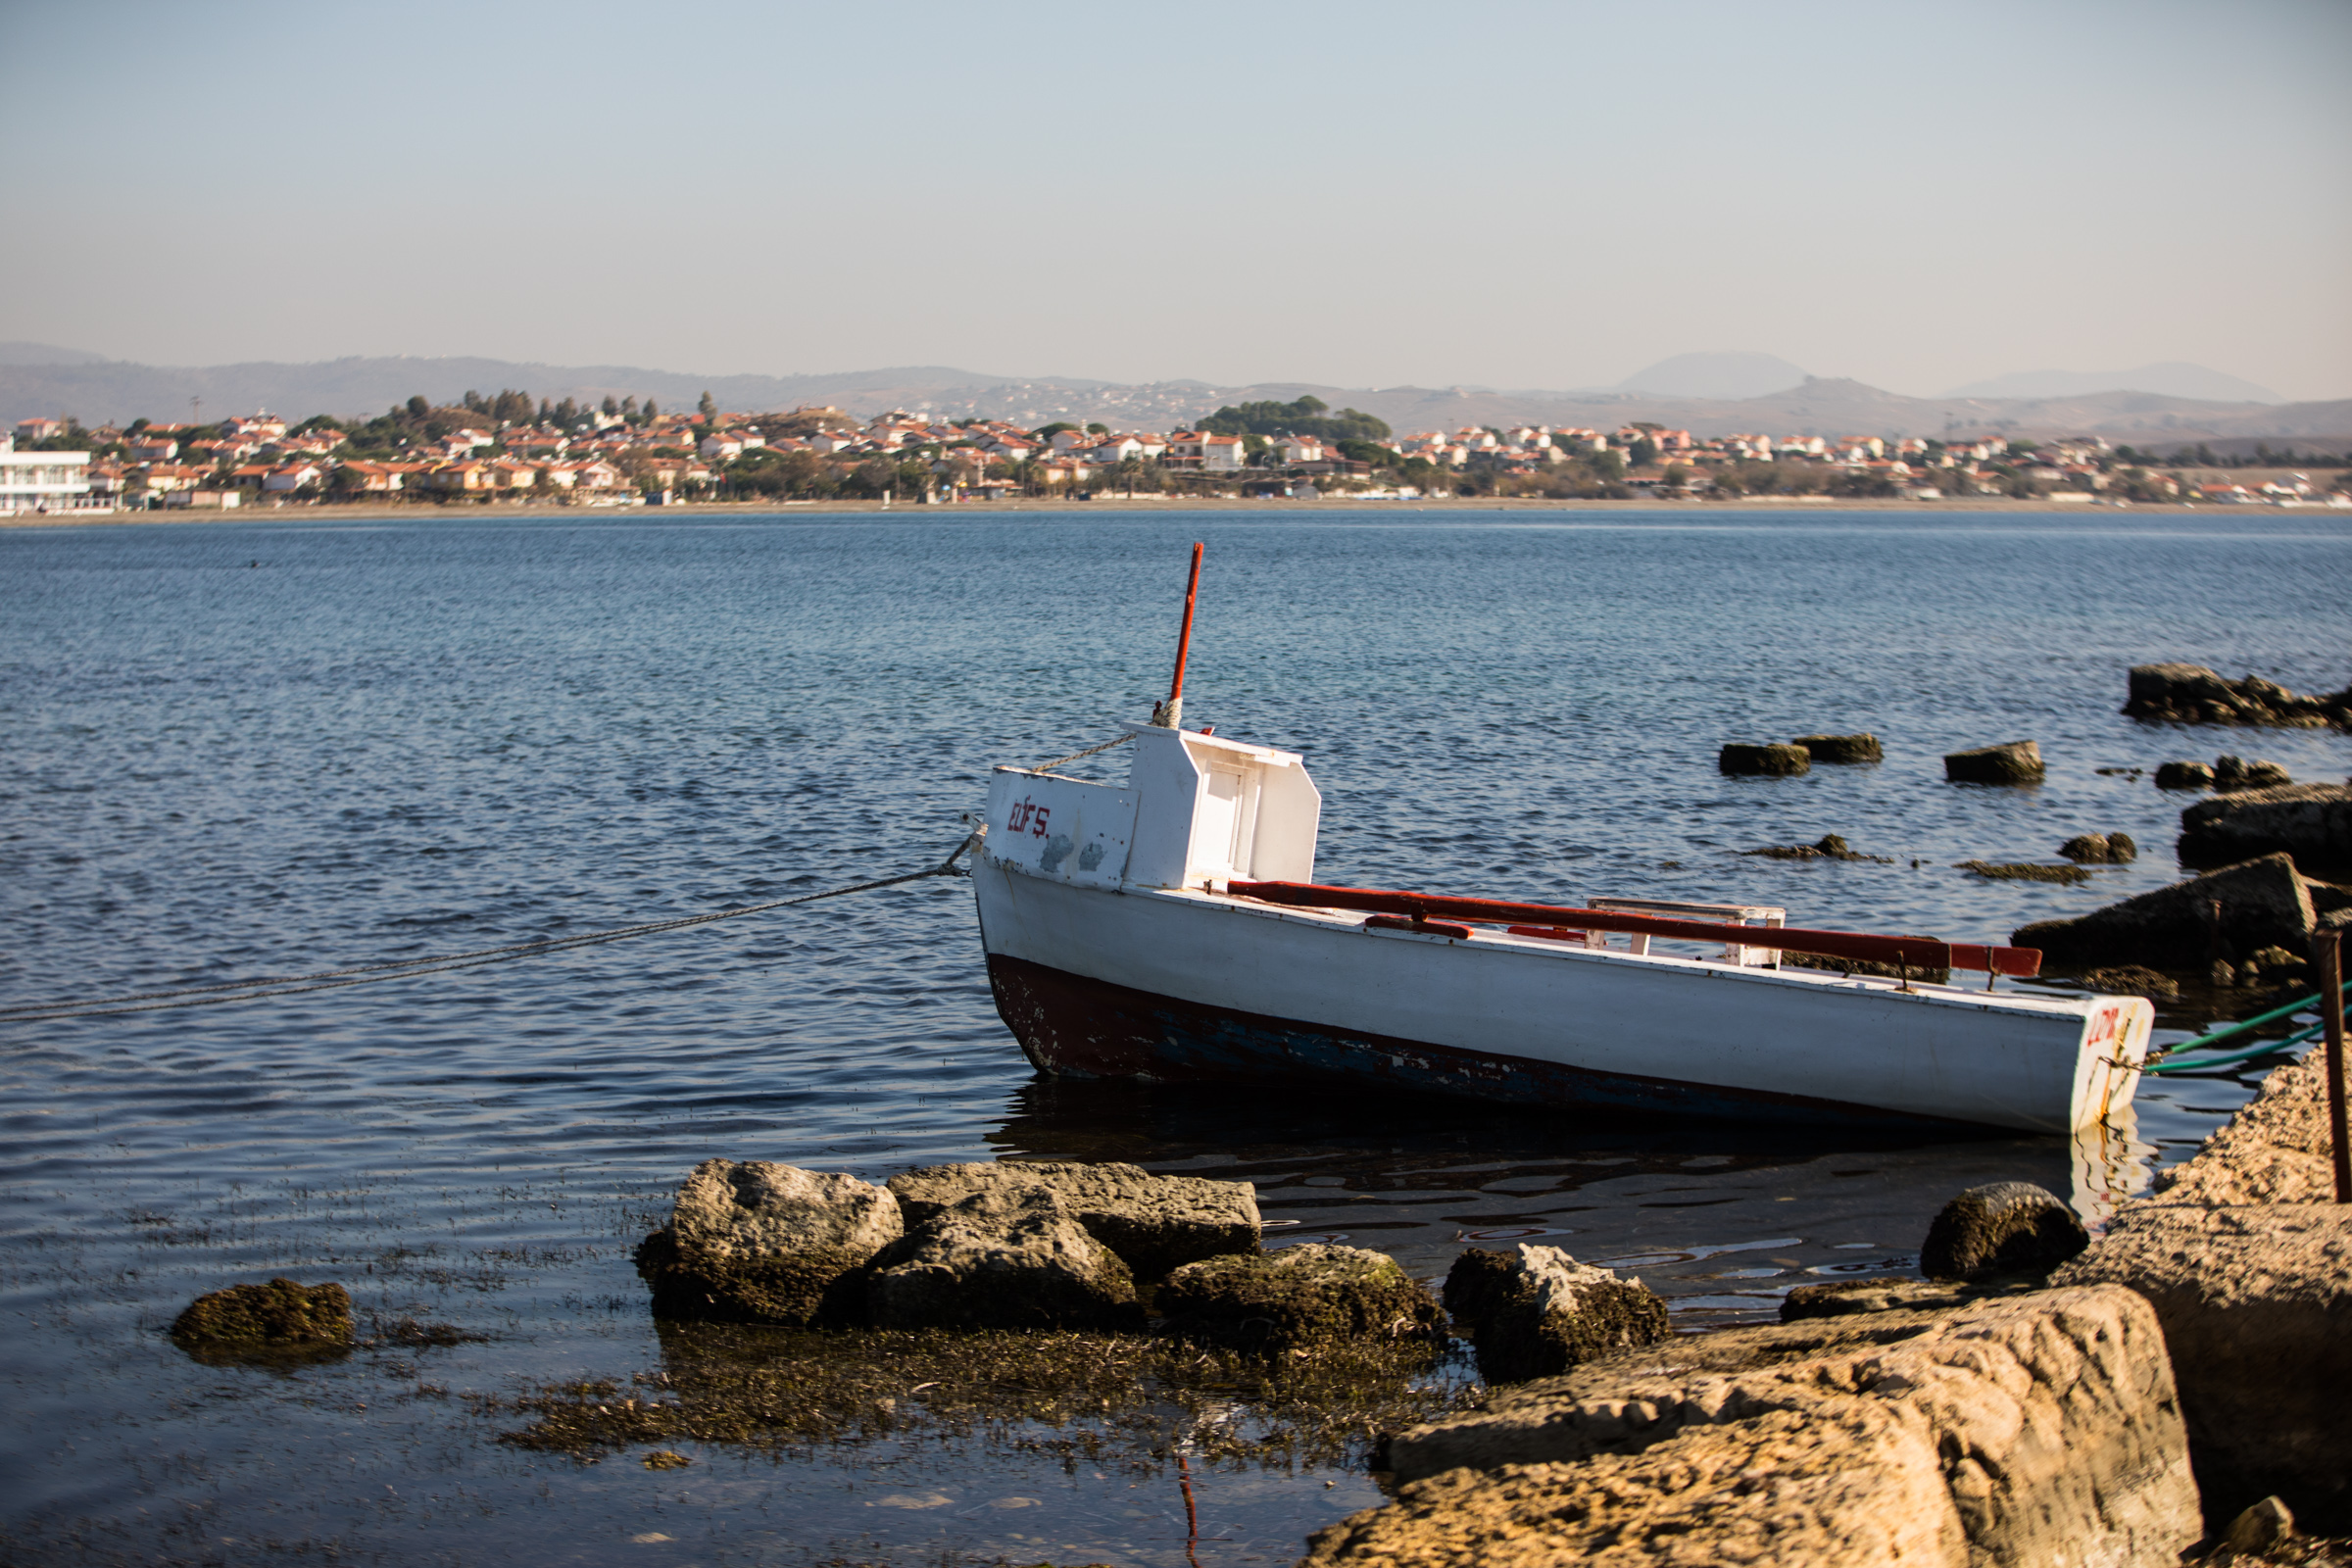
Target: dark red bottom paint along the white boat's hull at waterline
1100	1031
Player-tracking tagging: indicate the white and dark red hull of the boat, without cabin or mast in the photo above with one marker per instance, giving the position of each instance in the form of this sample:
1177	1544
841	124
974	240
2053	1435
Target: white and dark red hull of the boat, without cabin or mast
1154	984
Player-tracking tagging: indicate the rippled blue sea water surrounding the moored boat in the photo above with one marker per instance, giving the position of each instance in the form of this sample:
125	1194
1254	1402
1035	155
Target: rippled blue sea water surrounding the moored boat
272	749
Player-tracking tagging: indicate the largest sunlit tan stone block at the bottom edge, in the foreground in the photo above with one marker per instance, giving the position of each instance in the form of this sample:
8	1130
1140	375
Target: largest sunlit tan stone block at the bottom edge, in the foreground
2010	1433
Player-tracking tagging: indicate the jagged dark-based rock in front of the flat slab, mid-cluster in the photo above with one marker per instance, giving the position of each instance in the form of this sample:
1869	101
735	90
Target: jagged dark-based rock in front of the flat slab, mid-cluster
1001	1259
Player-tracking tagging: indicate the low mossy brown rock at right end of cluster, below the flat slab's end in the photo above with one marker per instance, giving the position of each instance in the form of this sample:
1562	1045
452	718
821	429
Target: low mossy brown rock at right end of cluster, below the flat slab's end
1299	1299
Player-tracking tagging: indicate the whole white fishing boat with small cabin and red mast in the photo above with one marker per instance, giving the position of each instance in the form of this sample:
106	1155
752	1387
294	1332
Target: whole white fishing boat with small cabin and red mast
1172	930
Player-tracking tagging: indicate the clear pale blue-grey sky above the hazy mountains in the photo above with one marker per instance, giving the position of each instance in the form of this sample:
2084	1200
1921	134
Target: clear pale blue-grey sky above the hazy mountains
1528	196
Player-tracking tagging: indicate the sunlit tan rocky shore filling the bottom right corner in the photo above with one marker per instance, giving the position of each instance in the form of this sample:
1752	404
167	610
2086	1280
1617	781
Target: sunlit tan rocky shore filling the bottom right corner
2172	1386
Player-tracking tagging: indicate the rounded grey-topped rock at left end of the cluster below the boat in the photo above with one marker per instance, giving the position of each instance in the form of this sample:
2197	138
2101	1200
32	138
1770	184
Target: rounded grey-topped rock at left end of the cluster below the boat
768	1245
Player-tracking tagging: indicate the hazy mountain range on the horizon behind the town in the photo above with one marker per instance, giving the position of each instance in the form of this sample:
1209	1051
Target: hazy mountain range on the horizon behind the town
1704	394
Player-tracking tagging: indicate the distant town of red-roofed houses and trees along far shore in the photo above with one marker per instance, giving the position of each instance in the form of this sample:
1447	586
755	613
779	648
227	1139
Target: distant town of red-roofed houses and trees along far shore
509	450
